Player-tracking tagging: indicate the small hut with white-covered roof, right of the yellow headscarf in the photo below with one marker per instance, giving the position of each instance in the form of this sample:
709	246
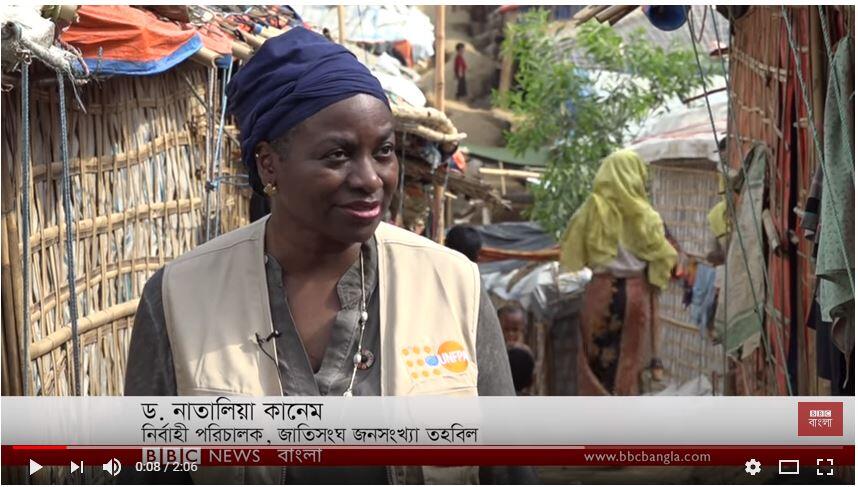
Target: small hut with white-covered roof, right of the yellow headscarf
682	155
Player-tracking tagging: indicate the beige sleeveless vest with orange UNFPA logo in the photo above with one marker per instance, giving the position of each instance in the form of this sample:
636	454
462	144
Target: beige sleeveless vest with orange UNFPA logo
215	301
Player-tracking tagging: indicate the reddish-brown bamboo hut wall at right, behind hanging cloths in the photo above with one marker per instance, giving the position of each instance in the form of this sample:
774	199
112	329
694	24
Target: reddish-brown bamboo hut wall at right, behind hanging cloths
780	73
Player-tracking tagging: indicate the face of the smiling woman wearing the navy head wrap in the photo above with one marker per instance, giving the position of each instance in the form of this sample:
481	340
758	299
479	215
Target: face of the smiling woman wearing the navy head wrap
337	170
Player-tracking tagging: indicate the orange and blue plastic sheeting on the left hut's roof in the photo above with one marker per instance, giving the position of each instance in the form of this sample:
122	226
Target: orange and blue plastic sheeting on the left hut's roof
118	39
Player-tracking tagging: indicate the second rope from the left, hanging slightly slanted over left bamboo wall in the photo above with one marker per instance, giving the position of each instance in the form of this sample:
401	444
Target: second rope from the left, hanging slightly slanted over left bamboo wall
67	208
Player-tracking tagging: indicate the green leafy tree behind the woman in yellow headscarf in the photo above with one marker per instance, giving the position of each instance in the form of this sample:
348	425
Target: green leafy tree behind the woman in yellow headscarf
557	105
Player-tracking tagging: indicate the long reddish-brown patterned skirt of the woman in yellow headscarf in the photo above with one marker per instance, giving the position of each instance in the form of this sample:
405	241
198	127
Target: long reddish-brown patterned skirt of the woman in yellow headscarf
616	339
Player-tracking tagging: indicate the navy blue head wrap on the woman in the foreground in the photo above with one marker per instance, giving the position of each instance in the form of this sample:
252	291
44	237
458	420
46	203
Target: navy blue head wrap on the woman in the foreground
292	77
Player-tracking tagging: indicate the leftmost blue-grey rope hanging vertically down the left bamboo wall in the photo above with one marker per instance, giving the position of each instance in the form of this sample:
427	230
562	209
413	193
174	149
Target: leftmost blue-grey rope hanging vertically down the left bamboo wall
25	215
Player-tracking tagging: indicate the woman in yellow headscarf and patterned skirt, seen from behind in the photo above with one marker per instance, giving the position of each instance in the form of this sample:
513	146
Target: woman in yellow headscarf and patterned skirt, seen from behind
618	234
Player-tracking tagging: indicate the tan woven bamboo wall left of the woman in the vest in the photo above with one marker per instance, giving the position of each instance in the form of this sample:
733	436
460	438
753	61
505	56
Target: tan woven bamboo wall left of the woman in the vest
138	168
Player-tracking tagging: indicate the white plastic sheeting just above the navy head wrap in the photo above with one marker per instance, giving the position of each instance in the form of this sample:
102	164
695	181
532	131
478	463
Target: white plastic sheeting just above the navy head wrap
377	23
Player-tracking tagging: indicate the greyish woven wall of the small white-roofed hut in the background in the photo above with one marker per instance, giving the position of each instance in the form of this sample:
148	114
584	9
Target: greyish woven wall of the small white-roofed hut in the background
683	196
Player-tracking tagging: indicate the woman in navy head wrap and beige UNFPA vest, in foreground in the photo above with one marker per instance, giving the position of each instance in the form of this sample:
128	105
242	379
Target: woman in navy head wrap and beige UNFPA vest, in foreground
320	297
